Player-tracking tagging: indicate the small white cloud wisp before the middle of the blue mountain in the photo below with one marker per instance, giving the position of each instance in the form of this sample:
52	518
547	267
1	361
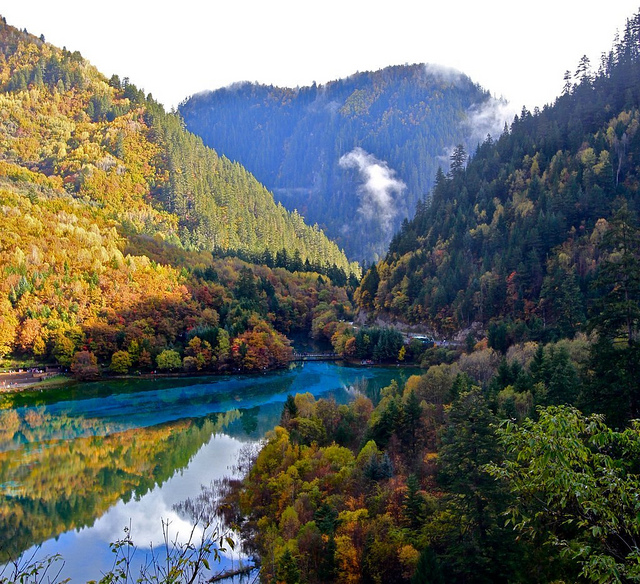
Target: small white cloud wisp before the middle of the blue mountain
379	188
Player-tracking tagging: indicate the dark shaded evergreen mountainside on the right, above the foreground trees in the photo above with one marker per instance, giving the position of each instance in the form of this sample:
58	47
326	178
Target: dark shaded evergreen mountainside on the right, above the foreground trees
521	233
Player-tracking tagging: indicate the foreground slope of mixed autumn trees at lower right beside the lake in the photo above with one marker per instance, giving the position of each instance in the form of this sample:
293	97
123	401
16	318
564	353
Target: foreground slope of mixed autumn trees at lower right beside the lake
468	473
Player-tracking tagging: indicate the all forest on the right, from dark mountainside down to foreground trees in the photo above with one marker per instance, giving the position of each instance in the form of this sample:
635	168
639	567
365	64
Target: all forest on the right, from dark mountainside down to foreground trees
483	469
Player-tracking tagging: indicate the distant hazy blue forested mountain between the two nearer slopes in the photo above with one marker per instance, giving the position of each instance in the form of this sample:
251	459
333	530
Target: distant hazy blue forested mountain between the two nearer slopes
354	155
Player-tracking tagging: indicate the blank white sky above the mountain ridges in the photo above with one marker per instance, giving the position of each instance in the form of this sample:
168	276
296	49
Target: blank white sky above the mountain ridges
519	50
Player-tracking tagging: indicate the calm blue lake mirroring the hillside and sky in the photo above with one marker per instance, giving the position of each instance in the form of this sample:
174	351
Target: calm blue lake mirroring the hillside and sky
80	464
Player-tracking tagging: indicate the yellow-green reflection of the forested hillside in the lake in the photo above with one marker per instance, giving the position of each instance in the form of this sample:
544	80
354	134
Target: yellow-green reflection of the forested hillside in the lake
49	487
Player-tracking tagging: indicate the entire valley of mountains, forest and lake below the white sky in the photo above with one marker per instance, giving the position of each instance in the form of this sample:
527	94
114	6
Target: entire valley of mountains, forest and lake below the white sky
415	359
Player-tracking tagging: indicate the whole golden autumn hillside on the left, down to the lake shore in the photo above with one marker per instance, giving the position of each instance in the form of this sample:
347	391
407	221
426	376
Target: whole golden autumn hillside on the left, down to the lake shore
110	213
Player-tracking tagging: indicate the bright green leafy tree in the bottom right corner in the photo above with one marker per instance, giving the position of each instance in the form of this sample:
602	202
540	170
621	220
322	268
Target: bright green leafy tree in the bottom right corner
575	484
